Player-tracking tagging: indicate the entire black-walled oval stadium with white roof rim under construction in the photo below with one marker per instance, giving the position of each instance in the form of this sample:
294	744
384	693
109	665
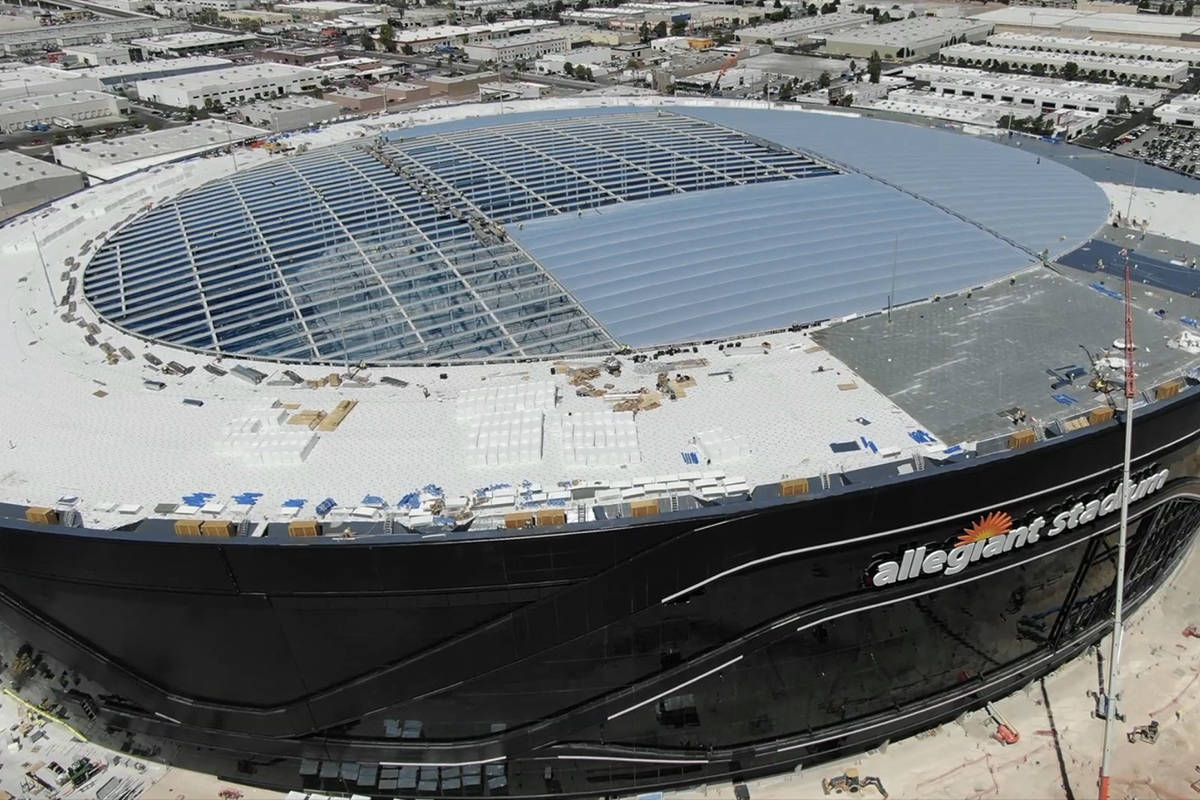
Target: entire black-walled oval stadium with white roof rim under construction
577	448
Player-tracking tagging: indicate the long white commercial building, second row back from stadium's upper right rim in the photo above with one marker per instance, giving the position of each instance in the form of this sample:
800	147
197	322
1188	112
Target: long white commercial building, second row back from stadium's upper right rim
1046	94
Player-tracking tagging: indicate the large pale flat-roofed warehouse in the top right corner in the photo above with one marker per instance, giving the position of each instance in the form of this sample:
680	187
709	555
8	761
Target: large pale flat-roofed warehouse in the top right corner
1132	28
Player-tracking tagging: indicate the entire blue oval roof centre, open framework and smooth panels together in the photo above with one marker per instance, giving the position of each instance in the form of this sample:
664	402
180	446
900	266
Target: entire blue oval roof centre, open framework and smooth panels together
401	249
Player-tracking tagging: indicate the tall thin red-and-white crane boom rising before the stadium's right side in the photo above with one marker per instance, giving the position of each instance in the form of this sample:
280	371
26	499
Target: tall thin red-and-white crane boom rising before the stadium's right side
1111	697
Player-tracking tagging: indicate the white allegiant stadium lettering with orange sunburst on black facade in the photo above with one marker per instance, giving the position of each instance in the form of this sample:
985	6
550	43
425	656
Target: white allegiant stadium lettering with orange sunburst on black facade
994	534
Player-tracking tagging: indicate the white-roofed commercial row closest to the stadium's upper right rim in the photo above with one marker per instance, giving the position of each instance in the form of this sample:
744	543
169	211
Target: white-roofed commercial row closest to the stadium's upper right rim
983	113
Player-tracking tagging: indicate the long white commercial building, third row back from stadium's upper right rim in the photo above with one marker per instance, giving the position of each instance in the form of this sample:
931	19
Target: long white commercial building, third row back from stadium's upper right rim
1167	74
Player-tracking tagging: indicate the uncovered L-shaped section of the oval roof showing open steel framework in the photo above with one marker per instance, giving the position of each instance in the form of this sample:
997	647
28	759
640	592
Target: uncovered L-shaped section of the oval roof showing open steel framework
395	250
